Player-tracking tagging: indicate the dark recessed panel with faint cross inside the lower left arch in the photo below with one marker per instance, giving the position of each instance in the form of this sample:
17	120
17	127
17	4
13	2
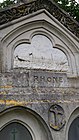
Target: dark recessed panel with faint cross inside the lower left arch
15	130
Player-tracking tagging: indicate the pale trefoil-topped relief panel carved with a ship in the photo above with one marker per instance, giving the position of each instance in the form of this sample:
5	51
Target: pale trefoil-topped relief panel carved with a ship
40	54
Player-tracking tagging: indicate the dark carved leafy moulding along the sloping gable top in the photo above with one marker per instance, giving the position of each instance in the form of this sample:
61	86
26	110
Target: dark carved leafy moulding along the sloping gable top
22	9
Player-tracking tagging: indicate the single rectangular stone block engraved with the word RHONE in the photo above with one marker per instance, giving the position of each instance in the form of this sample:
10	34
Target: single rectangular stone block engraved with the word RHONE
45	78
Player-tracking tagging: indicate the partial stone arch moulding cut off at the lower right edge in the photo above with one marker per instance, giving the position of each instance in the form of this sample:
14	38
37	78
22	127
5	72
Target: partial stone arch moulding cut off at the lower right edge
72	120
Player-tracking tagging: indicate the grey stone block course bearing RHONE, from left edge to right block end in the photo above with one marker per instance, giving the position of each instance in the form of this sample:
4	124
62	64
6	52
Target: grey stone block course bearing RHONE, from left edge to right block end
33	78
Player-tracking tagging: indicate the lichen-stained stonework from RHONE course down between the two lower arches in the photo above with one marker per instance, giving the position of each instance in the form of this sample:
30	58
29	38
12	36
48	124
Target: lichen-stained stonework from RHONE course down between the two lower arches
38	90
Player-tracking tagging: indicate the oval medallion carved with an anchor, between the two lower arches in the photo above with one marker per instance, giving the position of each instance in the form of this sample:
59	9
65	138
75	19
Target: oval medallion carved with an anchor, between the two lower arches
56	117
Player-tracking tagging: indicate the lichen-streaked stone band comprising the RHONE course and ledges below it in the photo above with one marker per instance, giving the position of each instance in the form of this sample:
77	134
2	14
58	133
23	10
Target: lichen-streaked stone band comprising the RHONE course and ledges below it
35	86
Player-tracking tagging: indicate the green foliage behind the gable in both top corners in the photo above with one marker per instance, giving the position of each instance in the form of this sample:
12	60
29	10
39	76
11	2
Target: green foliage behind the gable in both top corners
70	6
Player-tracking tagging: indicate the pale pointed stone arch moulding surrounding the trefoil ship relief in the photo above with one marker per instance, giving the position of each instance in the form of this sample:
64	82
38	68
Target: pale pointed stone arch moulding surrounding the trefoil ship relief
25	30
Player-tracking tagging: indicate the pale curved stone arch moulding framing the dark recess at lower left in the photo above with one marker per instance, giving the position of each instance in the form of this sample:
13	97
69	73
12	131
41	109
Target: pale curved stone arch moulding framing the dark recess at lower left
29	119
